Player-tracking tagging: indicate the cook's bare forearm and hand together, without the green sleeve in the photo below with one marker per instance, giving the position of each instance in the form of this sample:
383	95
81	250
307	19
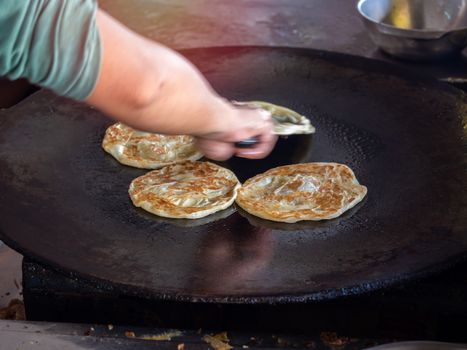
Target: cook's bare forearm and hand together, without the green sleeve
150	87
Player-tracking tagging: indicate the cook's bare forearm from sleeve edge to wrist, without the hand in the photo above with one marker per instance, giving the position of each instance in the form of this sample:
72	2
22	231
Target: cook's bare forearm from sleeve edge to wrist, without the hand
150	87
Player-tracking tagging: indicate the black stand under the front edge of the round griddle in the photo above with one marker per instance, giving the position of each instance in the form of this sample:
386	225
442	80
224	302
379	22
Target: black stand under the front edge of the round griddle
433	309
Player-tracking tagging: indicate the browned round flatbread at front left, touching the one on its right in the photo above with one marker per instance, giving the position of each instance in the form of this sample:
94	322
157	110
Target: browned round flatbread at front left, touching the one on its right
189	190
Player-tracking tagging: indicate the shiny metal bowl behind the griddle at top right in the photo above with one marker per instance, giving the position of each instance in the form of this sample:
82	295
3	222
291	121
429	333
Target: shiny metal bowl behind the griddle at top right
416	29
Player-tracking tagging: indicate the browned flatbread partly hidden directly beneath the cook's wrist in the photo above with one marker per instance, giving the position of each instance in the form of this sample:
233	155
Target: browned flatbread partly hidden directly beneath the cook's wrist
147	150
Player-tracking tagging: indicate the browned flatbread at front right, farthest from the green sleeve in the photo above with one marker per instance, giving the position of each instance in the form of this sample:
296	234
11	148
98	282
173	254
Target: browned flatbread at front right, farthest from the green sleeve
310	191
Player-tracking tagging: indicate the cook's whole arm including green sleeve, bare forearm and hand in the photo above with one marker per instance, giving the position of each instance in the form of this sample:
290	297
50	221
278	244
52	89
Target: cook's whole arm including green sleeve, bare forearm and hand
79	51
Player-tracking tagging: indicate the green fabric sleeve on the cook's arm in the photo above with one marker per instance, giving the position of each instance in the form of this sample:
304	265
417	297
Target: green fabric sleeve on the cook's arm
52	43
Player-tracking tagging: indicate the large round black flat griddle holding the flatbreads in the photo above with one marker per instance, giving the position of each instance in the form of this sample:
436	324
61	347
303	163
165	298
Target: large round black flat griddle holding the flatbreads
64	201
